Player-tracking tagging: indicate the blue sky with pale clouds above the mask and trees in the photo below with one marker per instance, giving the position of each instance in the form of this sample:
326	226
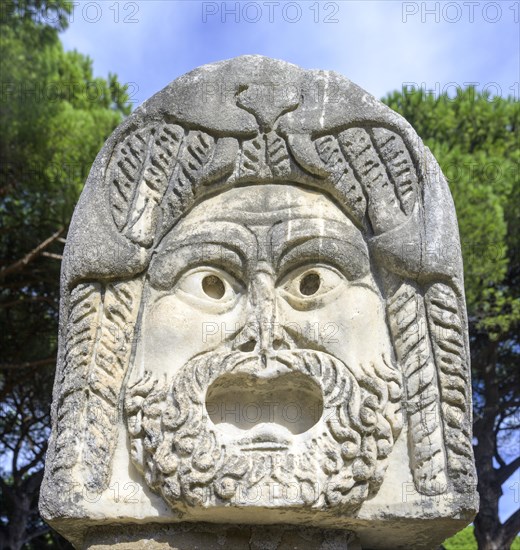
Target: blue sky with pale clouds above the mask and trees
380	45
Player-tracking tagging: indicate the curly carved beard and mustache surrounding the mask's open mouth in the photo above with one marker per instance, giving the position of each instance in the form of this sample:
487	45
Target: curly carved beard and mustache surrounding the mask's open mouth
340	463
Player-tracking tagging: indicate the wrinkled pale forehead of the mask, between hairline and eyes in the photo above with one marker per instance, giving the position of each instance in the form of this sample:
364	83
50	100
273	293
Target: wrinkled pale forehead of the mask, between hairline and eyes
257	216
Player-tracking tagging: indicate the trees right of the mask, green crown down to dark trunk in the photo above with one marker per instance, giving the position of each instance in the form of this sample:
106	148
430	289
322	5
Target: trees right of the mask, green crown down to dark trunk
476	140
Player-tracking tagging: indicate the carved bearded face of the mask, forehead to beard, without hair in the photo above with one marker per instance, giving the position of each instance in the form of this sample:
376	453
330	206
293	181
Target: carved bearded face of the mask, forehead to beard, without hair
264	373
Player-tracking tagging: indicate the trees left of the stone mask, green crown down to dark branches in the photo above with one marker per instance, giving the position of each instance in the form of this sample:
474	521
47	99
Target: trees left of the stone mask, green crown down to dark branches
55	116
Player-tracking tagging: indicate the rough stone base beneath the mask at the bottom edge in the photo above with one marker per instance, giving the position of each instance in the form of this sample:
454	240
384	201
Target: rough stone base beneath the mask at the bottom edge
206	536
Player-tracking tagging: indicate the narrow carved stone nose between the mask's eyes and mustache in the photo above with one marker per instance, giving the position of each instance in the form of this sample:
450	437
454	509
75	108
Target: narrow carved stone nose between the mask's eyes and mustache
262	331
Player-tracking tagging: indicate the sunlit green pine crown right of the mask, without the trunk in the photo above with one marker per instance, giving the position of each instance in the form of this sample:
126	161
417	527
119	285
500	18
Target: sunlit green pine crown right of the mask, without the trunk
475	139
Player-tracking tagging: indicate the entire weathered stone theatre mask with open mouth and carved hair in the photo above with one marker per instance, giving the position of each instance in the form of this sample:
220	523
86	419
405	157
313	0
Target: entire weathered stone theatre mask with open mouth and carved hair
263	340
